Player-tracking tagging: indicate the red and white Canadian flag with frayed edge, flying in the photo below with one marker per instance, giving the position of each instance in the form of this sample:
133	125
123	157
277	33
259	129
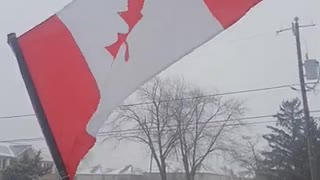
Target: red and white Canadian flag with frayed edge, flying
86	59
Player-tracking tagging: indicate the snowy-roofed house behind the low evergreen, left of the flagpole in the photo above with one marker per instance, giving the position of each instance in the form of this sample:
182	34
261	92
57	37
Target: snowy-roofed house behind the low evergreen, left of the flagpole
11	152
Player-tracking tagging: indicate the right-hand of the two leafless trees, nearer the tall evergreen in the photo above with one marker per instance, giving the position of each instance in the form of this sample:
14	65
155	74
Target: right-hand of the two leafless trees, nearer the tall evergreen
202	123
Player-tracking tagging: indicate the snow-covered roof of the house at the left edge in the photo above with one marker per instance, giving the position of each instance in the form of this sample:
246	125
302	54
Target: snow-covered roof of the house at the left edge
12	149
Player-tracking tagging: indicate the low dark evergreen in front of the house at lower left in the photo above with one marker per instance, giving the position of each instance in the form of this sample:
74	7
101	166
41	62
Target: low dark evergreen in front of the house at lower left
26	169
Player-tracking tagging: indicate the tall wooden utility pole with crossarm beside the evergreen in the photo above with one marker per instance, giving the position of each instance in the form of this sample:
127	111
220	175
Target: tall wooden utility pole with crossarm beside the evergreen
296	31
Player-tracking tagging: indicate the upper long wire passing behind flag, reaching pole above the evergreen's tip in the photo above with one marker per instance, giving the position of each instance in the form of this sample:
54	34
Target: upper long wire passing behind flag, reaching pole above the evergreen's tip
190	98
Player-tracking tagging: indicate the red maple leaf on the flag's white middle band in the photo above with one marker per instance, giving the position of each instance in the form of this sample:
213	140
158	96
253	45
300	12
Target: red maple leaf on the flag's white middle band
132	16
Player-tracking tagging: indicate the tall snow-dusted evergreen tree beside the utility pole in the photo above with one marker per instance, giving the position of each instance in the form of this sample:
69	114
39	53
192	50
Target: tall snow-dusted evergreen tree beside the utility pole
288	155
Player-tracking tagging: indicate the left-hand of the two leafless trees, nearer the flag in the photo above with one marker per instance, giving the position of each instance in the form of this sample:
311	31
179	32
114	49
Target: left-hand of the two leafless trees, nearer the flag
152	121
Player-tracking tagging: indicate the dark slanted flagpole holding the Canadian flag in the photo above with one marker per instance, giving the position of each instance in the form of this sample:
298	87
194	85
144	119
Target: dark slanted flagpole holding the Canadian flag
36	103
